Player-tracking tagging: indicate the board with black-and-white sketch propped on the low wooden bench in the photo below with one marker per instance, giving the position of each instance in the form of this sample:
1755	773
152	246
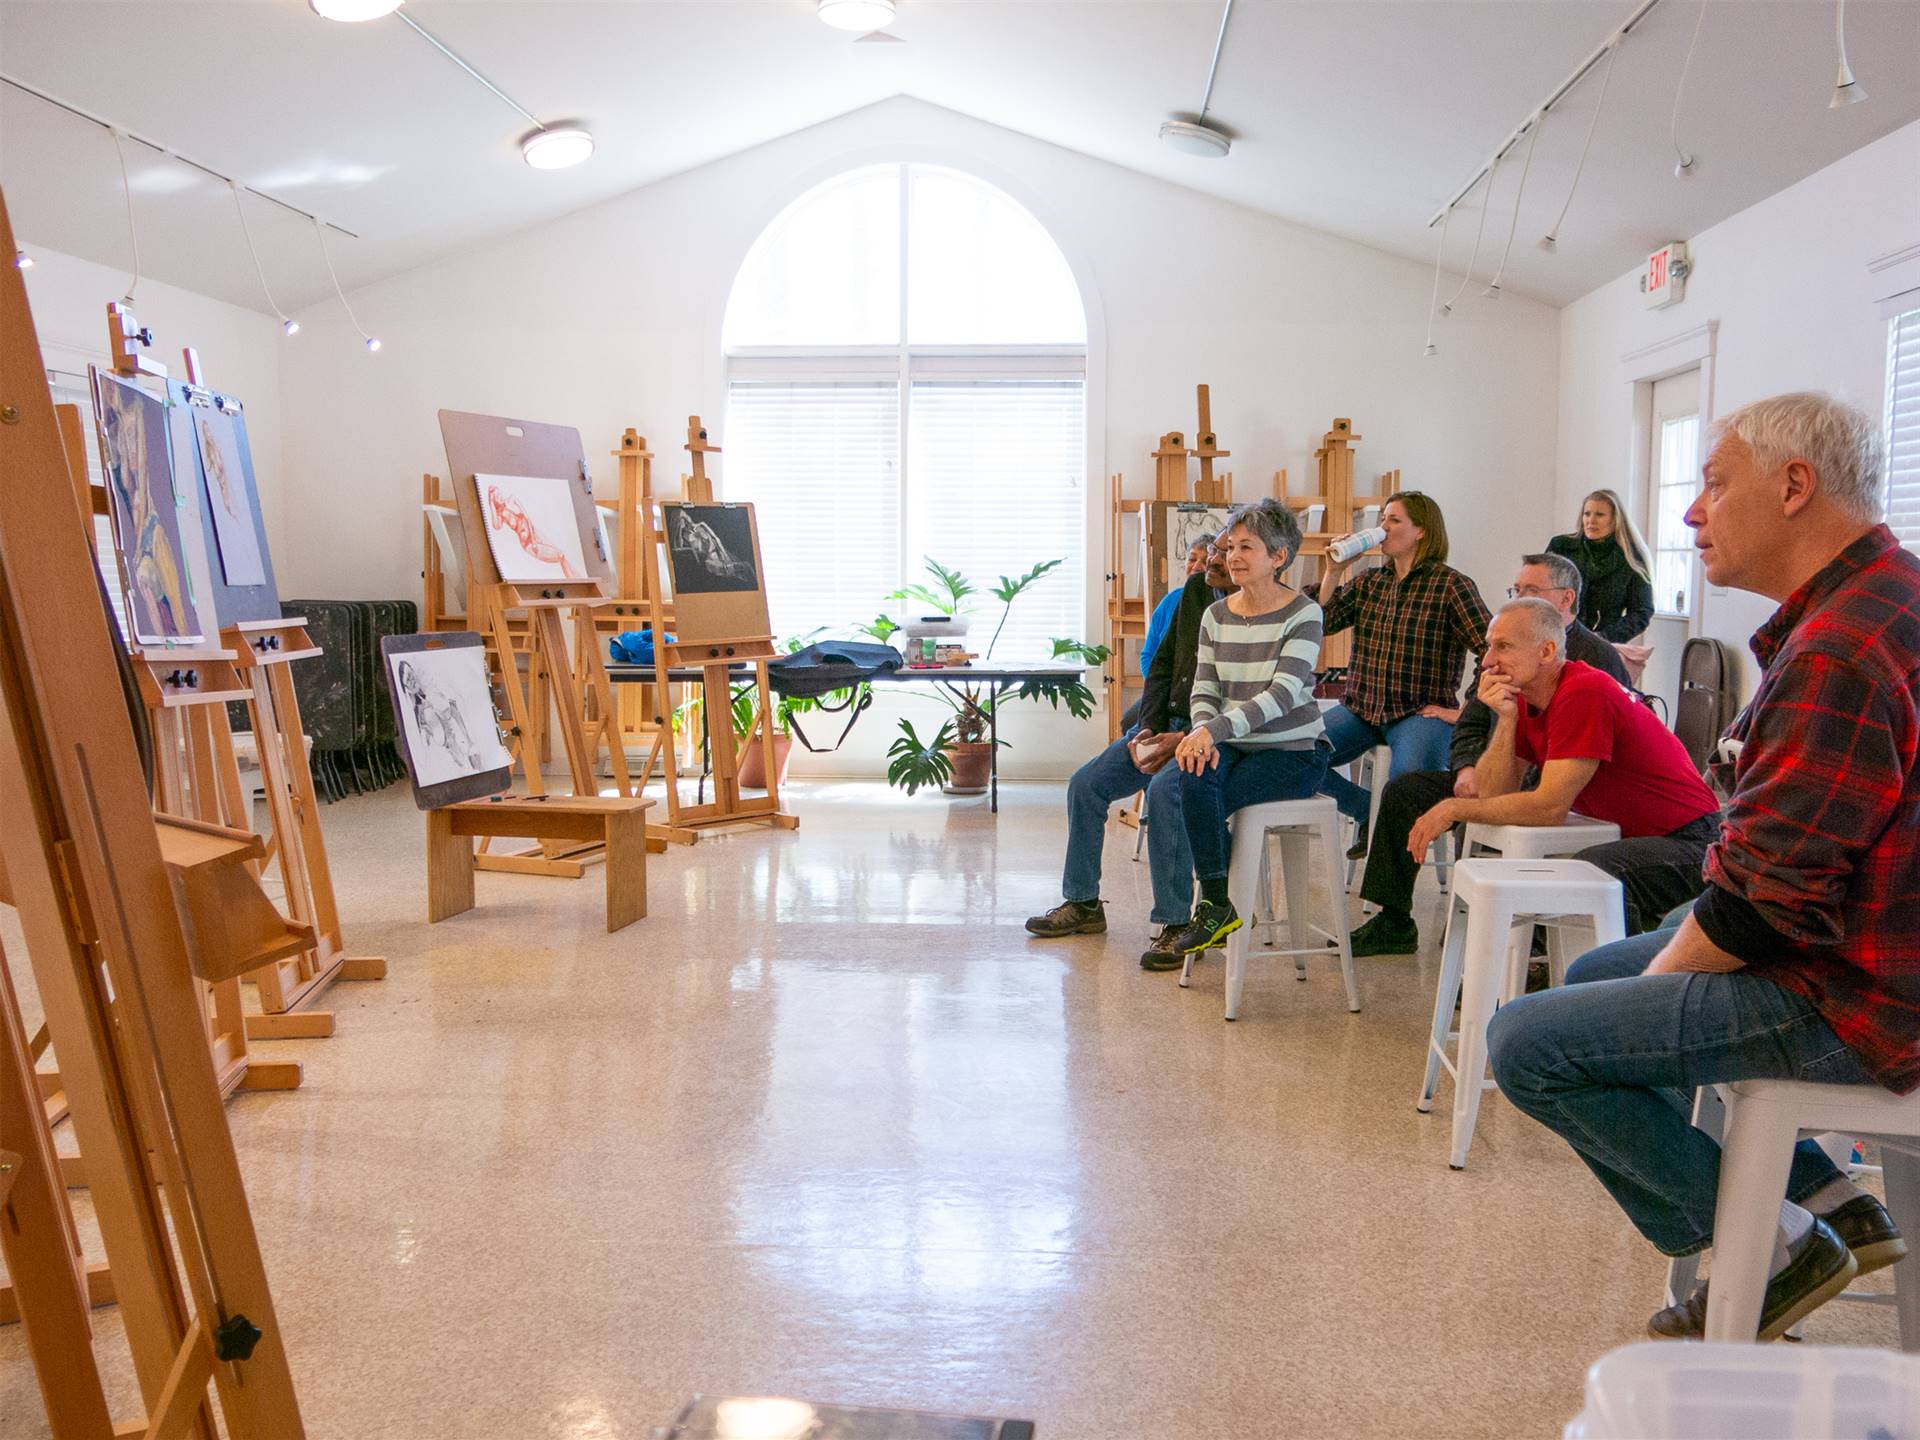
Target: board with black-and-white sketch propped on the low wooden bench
444	711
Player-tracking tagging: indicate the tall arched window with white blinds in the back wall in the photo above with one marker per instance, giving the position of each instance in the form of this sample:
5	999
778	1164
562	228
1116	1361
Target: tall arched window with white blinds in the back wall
907	372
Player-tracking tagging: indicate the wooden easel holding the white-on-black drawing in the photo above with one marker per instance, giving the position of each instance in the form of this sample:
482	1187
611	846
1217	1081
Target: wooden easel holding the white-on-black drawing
719	658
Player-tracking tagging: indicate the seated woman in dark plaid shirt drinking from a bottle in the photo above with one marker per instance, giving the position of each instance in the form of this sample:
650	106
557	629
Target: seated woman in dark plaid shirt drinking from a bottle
1414	623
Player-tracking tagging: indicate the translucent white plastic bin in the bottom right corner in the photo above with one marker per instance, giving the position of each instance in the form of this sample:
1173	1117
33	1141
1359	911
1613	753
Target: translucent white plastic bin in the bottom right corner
1664	1391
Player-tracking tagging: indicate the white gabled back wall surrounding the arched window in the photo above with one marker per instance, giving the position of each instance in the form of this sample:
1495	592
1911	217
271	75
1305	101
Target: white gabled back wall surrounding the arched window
612	318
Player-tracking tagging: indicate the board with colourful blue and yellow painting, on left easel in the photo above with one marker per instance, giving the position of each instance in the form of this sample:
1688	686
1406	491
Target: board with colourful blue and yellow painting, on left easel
137	454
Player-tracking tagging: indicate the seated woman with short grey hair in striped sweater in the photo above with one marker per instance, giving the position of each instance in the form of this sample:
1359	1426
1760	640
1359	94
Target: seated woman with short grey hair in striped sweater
1257	729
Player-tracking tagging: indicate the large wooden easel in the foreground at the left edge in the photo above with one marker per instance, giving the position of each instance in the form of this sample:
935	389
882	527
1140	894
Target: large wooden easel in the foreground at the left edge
114	940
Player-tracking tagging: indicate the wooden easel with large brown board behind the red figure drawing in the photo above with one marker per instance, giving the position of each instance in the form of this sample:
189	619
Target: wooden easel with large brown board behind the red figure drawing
581	694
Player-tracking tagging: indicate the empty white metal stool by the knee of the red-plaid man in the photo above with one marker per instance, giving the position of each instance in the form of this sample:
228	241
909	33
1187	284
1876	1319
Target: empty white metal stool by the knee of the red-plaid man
1500	900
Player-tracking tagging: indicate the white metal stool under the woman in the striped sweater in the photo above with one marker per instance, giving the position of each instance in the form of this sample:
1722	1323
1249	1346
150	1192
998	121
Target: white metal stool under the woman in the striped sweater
1297	827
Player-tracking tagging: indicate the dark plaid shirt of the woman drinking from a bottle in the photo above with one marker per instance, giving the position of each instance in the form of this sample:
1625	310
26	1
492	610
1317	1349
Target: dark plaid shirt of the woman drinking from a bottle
1410	638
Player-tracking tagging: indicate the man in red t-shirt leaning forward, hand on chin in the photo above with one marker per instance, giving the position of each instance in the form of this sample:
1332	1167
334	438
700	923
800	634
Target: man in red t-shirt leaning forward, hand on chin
1600	752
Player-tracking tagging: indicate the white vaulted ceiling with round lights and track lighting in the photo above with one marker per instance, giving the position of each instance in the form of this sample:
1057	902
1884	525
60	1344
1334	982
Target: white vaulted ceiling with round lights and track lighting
1355	116
